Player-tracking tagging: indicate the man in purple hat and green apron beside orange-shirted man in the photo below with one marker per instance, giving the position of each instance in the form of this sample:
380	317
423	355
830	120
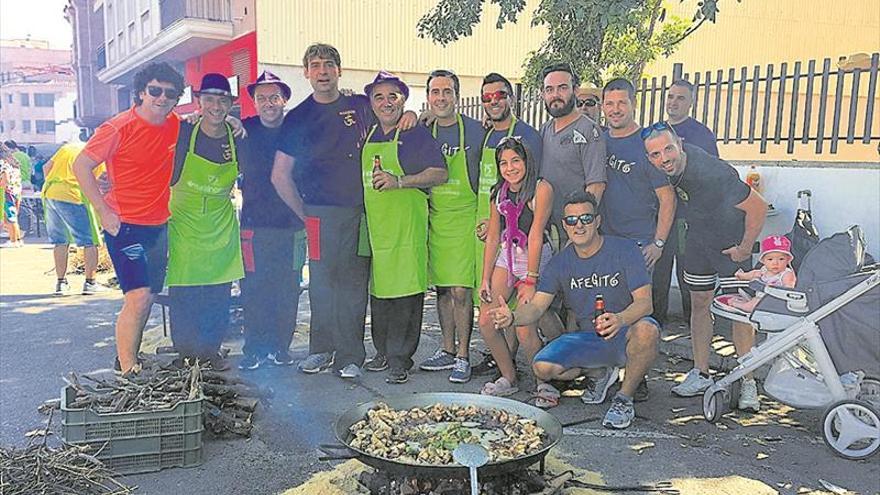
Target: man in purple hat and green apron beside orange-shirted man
204	248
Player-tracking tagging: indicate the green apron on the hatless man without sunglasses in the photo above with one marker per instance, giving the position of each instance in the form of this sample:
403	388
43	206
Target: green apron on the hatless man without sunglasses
451	222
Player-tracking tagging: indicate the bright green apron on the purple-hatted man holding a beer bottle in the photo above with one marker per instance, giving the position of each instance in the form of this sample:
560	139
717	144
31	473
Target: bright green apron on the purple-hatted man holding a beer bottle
397	221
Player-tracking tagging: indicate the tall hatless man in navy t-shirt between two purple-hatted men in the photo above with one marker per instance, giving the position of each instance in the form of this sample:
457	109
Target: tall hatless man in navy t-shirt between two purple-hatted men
317	174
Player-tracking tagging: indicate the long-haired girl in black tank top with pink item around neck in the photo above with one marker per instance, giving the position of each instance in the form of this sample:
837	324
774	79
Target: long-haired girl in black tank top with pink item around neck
516	251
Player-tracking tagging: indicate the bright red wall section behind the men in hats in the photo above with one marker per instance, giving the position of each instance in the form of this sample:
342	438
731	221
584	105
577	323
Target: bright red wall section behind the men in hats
220	60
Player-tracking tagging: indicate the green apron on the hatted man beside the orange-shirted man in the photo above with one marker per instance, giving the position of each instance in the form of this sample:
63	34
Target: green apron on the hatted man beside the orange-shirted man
204	243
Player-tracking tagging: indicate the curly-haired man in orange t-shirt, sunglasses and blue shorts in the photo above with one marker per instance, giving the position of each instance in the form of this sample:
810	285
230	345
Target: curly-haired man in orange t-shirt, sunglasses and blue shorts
138	148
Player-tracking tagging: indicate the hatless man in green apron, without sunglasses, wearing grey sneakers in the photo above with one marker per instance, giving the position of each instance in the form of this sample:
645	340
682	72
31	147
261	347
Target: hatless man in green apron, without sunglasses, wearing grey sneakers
451	219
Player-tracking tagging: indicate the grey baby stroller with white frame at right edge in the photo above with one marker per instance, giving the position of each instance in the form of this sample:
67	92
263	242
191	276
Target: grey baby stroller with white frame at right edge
824	341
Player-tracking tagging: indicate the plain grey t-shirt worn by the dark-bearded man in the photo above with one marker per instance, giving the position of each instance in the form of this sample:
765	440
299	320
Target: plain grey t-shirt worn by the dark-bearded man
572	159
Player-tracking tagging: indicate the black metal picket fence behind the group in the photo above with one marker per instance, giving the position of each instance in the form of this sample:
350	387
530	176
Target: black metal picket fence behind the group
789	104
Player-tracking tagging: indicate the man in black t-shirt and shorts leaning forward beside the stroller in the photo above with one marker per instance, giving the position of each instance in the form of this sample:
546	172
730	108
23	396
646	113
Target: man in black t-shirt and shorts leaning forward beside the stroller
724	217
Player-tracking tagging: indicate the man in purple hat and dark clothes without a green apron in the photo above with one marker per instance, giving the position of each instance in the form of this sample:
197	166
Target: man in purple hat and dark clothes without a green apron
272	236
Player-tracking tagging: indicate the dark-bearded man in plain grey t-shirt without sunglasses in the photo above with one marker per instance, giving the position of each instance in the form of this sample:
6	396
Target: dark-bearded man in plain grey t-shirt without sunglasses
574	151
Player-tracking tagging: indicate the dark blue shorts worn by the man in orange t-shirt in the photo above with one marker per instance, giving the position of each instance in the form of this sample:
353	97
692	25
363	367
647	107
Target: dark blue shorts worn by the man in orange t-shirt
140	255
